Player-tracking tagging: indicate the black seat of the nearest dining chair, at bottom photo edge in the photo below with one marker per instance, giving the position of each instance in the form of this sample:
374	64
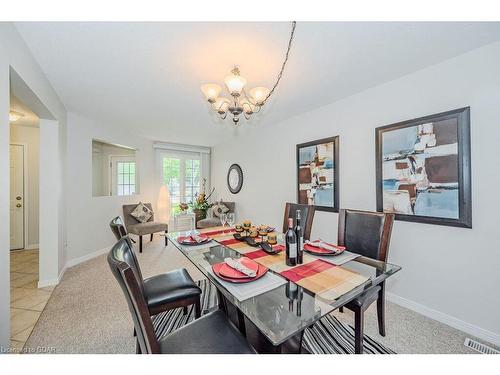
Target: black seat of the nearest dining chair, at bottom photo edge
211	334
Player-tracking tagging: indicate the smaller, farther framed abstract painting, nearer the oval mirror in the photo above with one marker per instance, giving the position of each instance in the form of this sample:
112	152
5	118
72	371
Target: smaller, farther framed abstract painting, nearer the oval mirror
318	174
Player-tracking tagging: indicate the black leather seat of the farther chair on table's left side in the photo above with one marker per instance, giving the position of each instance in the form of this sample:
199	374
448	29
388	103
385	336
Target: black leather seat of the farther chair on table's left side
169	287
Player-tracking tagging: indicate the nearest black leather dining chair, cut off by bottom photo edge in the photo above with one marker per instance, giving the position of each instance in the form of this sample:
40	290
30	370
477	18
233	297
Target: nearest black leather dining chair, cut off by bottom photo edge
211	334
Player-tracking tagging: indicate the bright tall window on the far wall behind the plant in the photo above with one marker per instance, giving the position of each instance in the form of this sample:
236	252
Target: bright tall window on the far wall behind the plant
182	175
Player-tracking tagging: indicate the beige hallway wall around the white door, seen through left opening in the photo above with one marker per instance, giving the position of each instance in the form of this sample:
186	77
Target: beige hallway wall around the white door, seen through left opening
31	137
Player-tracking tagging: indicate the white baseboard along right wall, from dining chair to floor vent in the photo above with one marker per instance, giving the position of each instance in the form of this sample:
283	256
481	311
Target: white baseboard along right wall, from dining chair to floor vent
441	317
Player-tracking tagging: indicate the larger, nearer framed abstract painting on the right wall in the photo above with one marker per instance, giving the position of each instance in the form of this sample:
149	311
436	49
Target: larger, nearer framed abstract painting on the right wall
424	169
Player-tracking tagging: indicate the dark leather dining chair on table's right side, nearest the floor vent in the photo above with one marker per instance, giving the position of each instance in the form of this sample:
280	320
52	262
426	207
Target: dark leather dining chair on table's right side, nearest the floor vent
368	234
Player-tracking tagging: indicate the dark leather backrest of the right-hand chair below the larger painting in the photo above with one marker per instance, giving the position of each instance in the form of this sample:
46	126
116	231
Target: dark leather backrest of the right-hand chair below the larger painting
365	233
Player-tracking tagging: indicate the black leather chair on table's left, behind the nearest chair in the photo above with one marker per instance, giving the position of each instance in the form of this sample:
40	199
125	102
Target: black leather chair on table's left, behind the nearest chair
163	292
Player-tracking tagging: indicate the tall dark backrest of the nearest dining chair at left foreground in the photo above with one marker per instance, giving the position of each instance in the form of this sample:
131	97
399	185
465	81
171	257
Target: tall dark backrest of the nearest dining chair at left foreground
134	294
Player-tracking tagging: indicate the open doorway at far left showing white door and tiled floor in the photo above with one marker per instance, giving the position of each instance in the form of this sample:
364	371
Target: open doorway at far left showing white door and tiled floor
27	300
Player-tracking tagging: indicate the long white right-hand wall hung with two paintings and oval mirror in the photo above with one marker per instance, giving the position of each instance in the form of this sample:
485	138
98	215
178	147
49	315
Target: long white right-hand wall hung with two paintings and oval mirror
449	273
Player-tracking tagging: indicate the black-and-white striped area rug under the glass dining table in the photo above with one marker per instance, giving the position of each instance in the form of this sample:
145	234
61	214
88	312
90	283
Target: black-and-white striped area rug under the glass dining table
327	336
